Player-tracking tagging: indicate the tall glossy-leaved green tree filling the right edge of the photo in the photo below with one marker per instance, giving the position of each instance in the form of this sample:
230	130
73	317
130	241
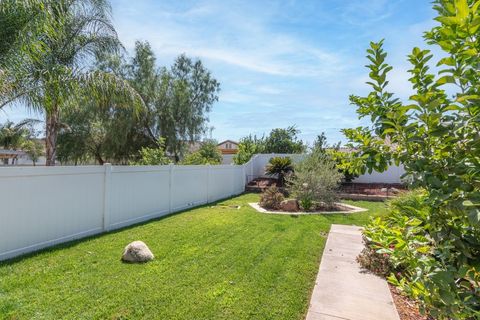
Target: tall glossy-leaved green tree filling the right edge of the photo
436	137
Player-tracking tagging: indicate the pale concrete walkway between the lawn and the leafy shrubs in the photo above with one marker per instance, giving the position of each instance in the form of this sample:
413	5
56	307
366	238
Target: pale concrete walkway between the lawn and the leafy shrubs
342	290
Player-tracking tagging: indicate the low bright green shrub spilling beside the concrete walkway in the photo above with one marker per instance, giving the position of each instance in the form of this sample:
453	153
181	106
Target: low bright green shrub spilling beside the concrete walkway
421	267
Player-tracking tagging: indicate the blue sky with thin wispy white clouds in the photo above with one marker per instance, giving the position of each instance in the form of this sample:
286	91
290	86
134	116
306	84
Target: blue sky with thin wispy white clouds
279	62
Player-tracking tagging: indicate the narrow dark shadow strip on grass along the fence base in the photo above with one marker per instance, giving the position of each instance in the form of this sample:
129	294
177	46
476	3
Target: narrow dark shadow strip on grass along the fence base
73	243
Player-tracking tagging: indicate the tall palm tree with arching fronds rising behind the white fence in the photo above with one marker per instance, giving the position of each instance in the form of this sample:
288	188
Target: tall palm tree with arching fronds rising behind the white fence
55	70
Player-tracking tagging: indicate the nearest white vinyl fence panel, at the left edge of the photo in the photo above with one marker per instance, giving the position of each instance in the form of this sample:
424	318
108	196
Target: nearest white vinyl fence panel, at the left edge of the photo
45	206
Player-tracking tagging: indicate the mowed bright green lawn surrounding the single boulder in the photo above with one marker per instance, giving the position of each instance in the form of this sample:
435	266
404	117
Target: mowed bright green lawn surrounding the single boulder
212	262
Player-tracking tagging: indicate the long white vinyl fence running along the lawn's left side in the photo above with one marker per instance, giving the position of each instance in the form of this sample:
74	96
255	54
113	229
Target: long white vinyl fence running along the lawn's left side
42	206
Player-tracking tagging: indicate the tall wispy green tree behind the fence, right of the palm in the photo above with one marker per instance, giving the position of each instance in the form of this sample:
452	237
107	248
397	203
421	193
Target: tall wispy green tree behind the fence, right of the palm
177	100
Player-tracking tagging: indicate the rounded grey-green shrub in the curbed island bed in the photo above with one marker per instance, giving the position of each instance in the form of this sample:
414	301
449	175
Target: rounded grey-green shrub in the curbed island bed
315	181
